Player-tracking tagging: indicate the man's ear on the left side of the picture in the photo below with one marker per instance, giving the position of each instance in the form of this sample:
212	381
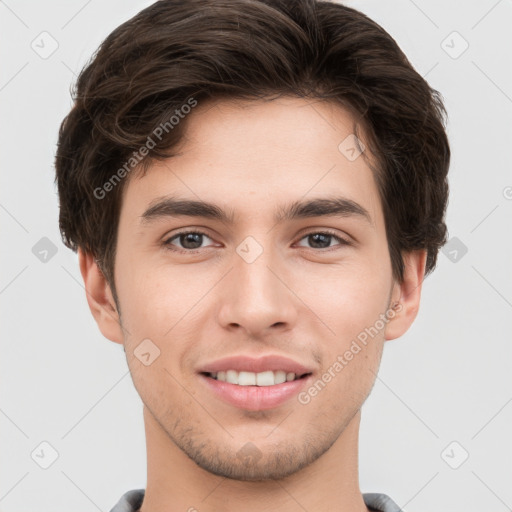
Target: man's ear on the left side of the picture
100	299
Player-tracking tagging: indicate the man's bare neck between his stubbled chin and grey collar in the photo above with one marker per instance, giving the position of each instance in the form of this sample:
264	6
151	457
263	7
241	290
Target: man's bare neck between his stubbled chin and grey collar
177	483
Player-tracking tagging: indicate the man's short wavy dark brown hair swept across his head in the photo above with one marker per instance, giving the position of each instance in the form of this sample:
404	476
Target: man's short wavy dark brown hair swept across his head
175	50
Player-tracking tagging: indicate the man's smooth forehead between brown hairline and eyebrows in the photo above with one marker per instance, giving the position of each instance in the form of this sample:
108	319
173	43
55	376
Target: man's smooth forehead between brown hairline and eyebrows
254	155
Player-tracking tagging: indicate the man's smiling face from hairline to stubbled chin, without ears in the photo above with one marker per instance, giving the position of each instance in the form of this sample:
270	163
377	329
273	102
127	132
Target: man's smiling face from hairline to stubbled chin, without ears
258	290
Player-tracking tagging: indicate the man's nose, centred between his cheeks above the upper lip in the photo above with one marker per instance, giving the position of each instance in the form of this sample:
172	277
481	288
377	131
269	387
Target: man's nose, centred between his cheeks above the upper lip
257	296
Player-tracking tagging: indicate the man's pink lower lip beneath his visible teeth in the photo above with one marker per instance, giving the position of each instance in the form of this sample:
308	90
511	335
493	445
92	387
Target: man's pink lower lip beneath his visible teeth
255	398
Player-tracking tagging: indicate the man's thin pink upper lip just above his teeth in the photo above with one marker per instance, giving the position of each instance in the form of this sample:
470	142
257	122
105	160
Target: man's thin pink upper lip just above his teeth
255	364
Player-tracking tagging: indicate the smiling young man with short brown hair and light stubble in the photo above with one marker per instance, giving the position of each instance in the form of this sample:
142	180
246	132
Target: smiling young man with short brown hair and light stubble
256	191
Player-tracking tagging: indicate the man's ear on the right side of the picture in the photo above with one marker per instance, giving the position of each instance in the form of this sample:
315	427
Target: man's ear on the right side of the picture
407	294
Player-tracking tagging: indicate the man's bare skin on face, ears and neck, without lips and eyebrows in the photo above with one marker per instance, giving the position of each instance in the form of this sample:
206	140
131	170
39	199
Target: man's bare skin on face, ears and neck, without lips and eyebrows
297	299
